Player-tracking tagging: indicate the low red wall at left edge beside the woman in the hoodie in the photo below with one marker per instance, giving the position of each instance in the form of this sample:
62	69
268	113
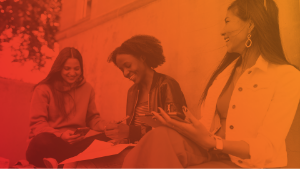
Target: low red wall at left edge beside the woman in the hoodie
14	118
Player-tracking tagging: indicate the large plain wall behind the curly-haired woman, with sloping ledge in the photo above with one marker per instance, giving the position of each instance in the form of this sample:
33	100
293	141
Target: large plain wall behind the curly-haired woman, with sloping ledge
189	32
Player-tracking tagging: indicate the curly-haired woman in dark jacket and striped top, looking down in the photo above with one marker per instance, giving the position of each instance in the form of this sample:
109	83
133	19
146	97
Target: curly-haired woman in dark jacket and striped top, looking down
136	58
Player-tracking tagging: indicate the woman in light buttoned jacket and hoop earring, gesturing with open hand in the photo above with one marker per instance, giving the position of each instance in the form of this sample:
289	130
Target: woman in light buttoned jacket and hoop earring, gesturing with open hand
247	107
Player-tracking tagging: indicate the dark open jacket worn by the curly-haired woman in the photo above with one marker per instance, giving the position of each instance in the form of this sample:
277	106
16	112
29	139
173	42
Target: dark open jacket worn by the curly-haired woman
165	92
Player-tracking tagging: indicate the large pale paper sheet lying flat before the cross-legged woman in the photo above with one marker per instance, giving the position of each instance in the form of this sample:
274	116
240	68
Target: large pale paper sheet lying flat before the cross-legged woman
98	149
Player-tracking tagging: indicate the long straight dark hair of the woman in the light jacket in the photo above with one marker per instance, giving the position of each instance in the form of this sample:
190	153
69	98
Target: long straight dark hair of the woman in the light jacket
265	34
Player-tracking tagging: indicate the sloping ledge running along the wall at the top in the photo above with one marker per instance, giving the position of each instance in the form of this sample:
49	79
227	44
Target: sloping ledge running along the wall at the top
83	26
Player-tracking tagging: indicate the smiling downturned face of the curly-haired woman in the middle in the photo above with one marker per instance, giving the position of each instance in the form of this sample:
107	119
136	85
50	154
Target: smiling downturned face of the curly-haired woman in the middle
133	68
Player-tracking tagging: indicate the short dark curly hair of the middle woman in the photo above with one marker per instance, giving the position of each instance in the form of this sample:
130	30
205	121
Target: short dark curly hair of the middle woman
141	46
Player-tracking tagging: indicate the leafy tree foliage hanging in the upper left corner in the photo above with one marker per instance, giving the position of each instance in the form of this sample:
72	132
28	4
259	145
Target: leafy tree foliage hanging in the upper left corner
35	22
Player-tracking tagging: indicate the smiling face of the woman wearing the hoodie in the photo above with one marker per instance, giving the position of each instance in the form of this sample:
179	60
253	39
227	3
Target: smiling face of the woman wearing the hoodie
71	71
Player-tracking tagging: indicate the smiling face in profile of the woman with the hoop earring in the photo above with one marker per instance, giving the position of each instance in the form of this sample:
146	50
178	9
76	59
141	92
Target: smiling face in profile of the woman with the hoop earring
235	32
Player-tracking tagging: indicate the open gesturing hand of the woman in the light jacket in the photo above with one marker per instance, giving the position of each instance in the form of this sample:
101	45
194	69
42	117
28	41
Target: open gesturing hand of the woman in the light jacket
192	129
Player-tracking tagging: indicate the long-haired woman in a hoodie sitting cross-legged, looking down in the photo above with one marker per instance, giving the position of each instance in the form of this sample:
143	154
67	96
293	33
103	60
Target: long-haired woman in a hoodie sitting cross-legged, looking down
60	104
